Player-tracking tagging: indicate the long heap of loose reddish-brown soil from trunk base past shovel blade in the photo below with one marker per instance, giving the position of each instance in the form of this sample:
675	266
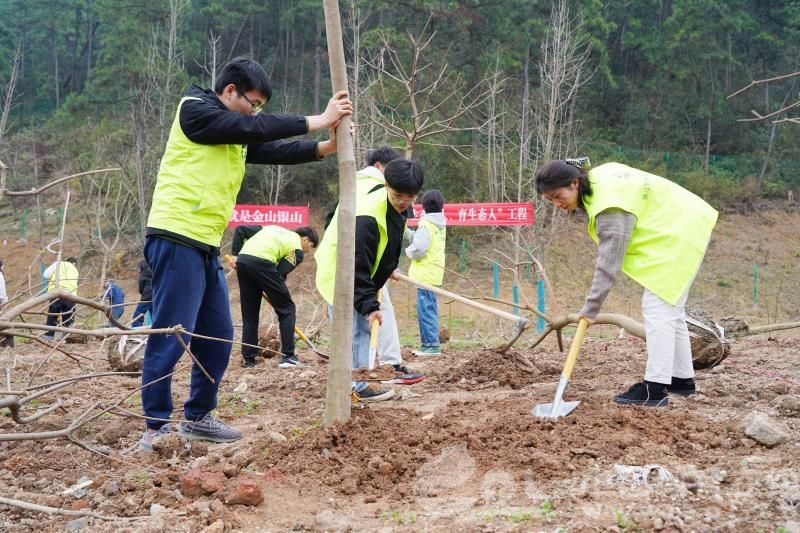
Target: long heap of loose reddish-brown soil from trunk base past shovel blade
369	456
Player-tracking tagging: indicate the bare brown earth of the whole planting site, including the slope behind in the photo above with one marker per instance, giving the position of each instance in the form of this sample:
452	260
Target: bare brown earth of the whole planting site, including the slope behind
459	451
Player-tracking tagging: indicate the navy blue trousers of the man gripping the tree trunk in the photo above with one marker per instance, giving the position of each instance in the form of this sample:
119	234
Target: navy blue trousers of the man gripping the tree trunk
189	288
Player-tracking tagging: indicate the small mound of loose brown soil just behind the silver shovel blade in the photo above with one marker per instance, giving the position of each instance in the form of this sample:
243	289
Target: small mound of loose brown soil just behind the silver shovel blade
512	369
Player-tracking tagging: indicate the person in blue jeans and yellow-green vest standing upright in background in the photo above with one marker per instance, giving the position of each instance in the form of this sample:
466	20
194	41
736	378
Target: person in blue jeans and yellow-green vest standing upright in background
427	265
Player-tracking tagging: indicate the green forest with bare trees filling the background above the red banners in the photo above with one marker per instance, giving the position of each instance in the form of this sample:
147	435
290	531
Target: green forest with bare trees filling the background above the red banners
480	91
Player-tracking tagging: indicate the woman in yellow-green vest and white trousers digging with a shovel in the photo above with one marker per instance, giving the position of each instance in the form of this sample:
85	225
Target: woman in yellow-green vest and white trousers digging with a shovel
657	233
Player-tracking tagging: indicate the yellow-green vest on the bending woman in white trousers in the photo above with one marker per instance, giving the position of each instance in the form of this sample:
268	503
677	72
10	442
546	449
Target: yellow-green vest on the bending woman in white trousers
673	226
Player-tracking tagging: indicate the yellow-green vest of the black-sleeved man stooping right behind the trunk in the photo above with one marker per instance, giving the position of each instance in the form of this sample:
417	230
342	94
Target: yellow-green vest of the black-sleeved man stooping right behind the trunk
373	205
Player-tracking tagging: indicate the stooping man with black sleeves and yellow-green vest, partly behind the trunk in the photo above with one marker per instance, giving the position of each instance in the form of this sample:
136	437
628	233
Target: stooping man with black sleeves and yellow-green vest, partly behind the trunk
380	225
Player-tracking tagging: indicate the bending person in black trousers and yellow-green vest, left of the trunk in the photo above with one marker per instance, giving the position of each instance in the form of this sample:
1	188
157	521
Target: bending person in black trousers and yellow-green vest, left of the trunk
263	257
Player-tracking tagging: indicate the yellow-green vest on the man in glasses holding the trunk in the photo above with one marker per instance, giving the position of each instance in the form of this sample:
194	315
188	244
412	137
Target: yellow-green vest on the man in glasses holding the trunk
196	186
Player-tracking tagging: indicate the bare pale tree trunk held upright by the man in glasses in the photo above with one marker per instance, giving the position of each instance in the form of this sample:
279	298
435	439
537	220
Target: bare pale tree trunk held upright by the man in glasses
337	399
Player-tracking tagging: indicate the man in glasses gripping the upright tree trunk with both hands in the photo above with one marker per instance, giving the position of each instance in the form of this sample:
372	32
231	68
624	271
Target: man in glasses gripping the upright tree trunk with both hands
214	133
